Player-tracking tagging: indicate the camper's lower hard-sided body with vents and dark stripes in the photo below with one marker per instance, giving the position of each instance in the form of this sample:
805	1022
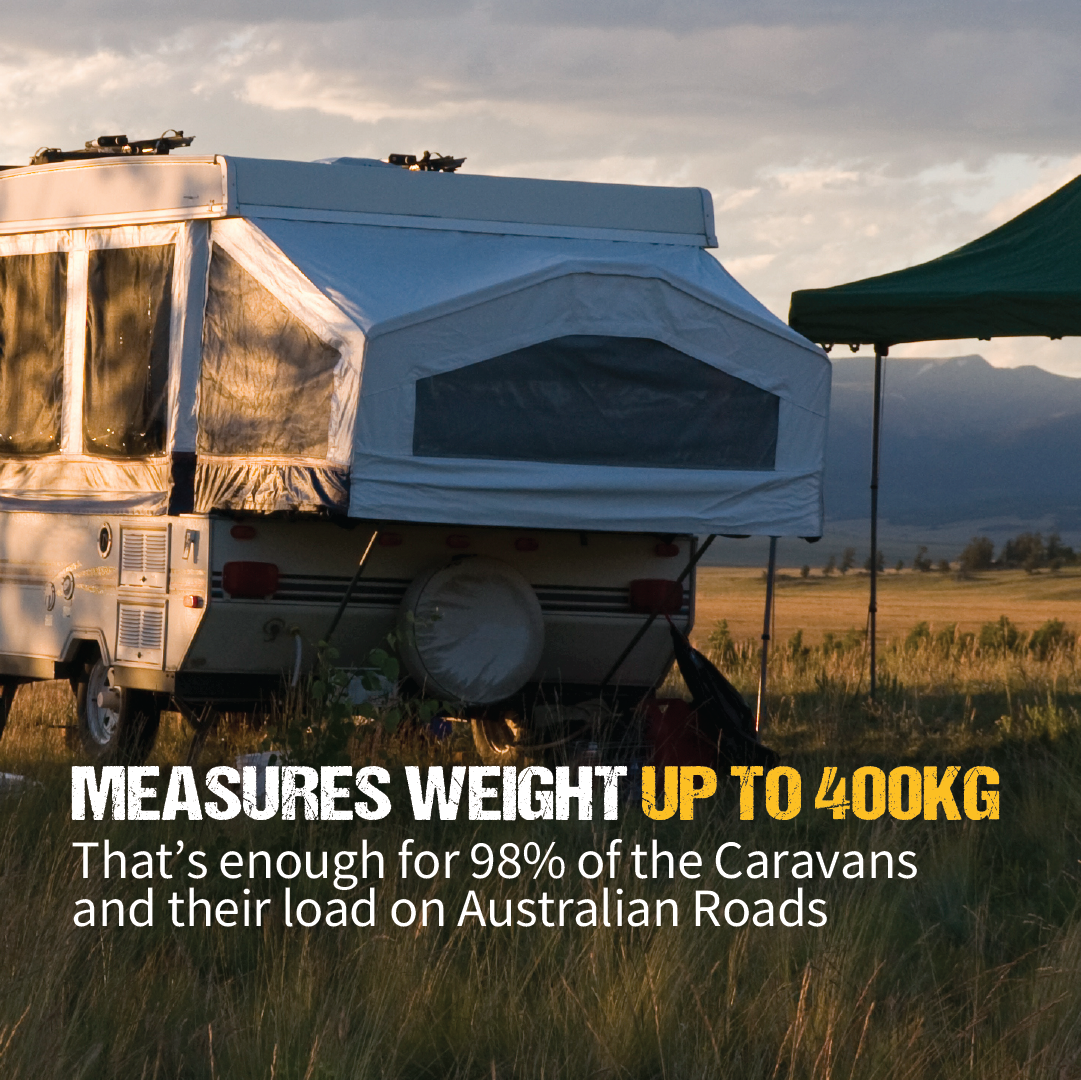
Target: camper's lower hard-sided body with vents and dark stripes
135	612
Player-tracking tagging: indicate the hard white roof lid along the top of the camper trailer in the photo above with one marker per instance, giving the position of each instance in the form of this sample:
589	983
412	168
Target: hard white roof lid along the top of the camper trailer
134	191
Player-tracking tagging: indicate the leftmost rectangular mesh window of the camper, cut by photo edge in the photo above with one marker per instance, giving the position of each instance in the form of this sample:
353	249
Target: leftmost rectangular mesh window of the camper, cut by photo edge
33	304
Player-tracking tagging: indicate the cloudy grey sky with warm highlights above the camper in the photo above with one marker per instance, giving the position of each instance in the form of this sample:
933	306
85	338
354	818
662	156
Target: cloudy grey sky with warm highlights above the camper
839	139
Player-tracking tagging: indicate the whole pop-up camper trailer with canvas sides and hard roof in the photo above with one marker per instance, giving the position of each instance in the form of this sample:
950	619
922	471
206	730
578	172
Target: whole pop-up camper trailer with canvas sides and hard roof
219	377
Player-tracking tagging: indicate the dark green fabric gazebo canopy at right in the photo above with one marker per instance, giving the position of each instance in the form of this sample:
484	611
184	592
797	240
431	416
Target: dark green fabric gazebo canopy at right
1023	279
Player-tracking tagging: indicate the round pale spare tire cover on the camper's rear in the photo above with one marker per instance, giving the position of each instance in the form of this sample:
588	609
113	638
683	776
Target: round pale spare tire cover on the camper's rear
472	632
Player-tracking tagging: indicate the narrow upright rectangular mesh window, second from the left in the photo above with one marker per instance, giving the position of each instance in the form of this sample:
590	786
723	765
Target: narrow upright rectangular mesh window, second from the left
128	311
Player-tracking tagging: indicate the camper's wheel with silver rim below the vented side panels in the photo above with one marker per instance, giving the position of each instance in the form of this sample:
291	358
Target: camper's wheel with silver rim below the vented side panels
117	726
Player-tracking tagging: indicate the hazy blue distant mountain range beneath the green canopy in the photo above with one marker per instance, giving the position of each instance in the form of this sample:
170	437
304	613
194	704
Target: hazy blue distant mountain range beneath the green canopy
963	443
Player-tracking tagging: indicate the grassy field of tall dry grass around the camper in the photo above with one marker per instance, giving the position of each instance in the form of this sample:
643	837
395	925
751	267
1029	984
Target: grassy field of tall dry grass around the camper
969	970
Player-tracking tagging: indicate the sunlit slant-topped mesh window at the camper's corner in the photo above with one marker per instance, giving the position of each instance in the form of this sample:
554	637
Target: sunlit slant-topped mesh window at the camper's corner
268	380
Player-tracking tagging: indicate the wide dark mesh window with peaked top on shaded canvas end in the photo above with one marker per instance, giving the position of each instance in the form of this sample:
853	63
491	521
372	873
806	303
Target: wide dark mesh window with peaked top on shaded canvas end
594	401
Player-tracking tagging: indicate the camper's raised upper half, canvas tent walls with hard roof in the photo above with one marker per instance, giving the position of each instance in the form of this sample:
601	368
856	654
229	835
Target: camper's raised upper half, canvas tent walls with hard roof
365	340
